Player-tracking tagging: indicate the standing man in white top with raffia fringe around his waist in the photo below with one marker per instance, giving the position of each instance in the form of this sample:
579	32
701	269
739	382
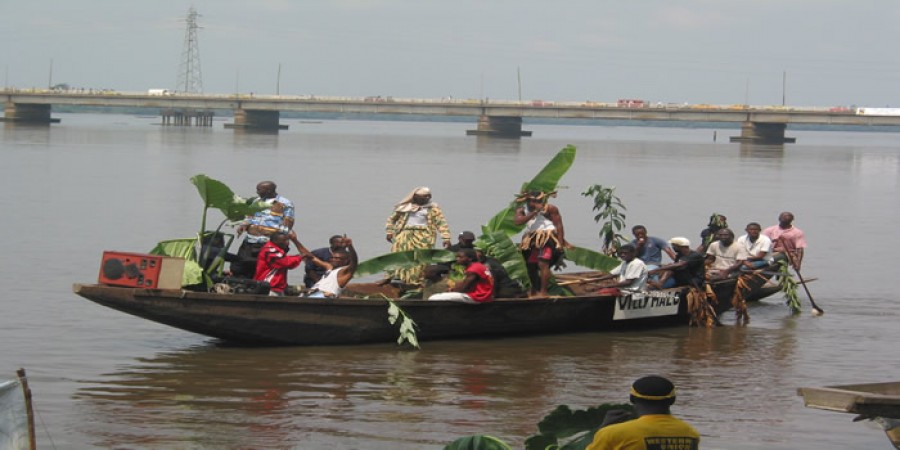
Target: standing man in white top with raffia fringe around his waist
544	238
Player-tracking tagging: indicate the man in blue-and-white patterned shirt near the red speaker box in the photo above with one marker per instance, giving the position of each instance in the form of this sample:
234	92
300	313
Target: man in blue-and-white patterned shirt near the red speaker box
258	227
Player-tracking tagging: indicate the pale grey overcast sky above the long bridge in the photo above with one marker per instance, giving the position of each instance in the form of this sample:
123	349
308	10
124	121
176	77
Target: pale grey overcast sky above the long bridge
830	52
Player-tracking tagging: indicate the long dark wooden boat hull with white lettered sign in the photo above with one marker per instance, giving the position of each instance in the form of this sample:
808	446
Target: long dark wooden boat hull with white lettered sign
361	316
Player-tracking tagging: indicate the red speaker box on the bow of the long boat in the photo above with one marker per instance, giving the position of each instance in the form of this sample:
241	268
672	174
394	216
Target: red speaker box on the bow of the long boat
141	270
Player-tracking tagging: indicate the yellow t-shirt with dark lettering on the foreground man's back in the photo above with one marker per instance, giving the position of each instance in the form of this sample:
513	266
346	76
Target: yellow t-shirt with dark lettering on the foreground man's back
649	432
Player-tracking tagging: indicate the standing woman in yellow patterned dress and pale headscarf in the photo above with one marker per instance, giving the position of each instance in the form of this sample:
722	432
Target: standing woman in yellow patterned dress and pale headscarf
414	224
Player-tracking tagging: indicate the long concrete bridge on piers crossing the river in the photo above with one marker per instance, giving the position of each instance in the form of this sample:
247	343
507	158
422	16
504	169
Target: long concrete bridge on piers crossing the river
759	124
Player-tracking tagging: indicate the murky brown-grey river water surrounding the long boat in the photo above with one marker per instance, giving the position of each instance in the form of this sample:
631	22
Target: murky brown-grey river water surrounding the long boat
103	379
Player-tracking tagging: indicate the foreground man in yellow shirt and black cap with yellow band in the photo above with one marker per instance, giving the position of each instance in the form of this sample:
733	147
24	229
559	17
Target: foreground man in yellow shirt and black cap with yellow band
654	428
